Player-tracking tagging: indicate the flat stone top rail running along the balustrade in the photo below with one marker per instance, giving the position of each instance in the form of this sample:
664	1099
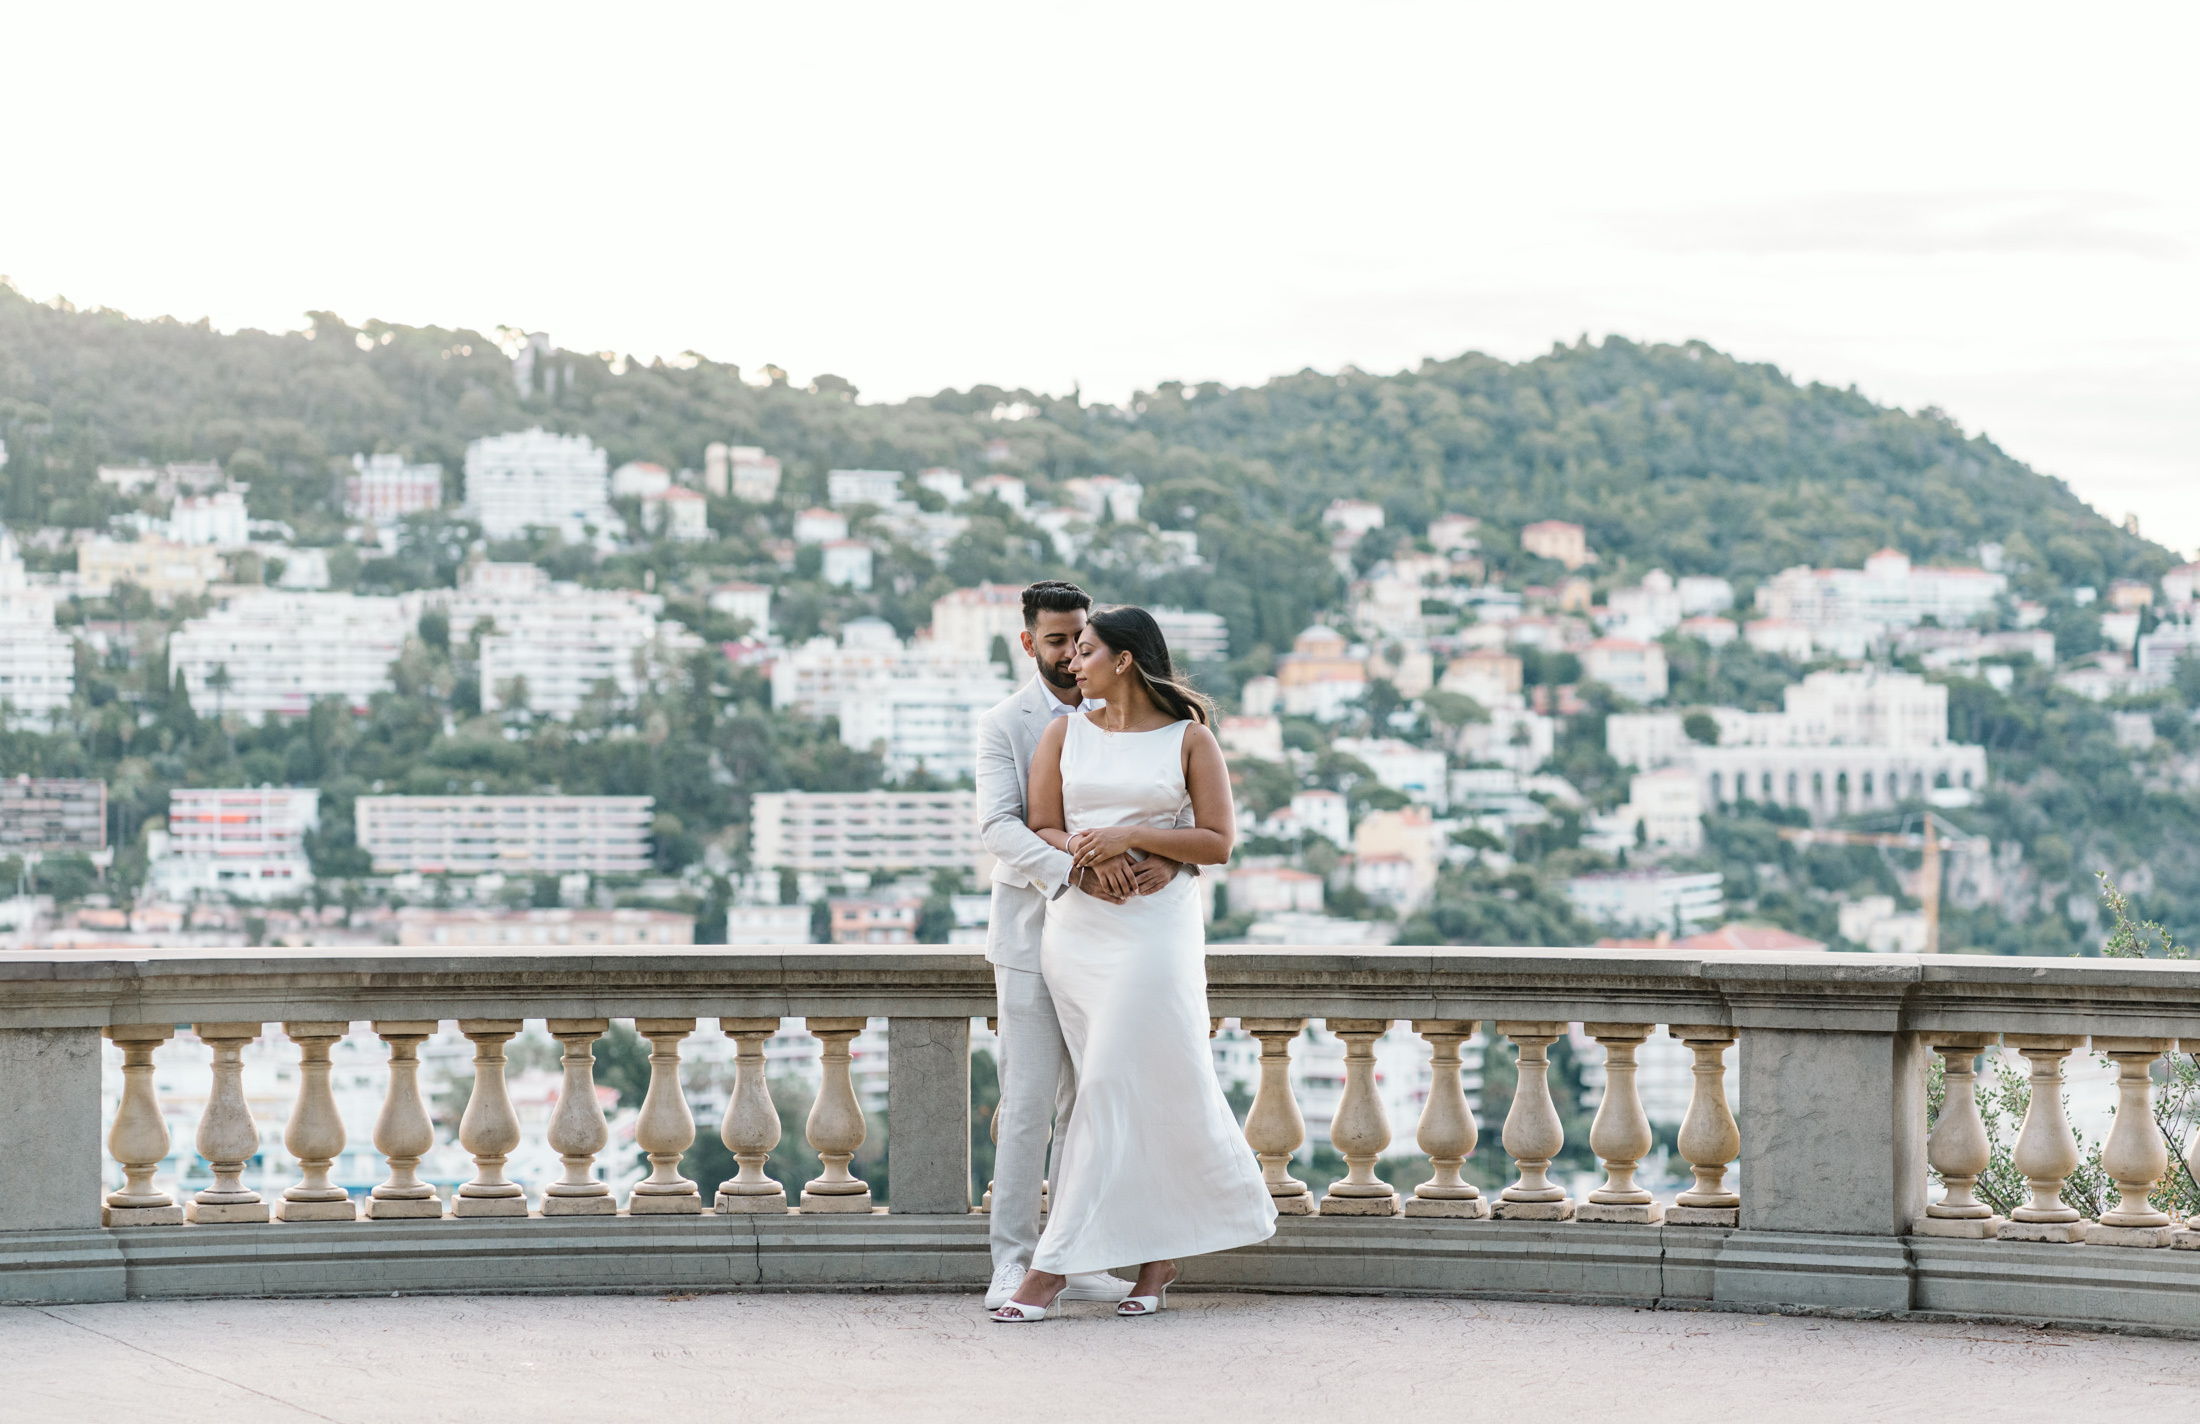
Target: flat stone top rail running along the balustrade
1805	992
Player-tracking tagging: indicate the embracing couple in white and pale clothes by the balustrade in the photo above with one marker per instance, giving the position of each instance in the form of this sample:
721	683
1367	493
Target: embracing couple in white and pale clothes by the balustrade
1101	793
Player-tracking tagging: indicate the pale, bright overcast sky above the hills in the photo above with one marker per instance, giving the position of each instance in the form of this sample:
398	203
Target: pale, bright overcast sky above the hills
1959	206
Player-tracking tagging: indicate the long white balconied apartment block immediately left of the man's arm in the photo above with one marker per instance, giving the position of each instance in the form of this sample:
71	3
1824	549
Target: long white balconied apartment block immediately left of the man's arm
863	831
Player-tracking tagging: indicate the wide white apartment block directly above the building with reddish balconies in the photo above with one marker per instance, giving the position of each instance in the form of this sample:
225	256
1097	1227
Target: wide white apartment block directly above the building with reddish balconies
280	653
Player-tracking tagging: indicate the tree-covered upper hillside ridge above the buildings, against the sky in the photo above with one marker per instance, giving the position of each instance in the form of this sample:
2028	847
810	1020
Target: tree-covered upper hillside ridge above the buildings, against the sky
1671	457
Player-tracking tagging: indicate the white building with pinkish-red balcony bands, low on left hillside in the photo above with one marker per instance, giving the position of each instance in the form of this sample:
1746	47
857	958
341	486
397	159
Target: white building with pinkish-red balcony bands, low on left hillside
234	842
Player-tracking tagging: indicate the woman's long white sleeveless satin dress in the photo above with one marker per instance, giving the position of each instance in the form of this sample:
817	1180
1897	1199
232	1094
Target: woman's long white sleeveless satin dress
1152	1163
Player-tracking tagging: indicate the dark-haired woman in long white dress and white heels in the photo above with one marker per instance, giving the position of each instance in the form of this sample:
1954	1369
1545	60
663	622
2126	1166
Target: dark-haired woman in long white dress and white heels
1152	1161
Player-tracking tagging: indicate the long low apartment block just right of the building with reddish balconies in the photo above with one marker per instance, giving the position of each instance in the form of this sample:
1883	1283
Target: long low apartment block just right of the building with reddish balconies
514	835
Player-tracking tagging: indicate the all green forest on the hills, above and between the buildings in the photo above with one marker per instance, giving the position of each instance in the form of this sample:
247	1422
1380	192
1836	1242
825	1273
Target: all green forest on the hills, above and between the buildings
1673	457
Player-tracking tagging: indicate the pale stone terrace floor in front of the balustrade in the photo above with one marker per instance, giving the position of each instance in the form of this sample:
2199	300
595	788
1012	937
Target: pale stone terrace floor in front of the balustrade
934	1357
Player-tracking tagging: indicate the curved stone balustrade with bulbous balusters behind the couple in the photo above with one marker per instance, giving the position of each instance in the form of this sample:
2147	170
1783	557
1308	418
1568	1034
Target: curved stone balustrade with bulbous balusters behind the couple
1809	1190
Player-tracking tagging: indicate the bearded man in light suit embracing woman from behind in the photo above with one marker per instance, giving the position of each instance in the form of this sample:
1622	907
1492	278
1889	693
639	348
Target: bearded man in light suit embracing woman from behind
1037	1082
